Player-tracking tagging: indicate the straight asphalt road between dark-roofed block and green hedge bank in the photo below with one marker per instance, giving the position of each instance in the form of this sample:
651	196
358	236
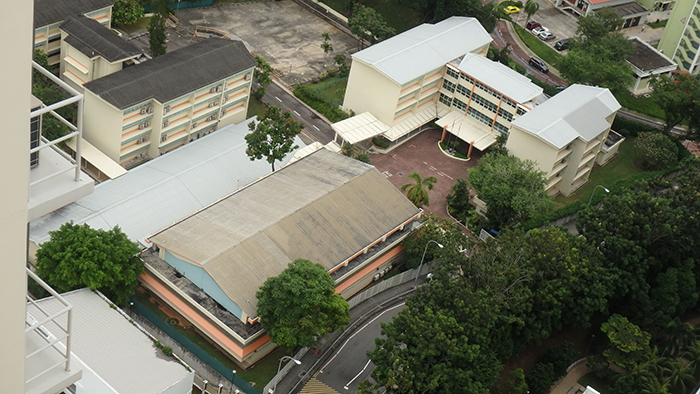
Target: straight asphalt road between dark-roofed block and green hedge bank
316	127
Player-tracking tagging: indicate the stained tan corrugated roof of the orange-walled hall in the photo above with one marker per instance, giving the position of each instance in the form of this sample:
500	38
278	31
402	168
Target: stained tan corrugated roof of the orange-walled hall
324	208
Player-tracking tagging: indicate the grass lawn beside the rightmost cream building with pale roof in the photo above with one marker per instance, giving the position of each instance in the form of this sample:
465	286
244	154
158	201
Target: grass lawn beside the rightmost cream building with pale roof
620	168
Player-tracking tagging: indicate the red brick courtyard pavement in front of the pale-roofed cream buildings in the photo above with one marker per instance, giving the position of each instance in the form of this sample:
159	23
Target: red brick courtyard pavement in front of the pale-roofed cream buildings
423	155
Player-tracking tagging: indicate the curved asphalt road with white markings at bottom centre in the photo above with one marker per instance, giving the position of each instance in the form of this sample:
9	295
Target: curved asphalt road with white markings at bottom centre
350	365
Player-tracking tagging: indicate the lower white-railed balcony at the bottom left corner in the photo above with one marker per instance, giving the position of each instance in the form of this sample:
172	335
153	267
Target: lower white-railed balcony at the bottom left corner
48	345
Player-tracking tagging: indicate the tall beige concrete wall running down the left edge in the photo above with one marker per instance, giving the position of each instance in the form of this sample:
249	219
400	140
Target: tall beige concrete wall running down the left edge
14	177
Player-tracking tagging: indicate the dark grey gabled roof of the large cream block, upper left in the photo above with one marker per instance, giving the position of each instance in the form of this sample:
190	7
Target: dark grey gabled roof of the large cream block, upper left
174	74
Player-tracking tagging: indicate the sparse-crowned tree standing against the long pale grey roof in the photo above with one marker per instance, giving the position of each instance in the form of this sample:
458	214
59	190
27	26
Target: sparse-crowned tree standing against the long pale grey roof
272	137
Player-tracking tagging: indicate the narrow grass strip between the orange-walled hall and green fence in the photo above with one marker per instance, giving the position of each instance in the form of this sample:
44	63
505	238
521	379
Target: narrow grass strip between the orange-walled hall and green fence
261	373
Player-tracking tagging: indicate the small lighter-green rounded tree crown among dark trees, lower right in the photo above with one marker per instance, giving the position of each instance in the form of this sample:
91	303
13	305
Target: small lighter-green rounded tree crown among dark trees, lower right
628	343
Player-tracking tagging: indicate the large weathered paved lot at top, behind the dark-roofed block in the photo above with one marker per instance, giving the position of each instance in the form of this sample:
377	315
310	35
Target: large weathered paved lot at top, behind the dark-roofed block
282	32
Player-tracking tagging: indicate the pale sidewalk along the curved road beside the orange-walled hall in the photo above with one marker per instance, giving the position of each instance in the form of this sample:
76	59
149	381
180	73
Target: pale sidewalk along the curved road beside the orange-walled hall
327	345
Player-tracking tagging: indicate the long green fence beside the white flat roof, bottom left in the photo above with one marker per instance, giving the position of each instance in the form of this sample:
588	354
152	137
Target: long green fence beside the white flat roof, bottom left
193	348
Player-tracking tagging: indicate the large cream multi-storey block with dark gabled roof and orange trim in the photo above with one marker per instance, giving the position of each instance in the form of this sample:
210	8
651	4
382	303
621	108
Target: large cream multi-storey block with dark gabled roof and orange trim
148	109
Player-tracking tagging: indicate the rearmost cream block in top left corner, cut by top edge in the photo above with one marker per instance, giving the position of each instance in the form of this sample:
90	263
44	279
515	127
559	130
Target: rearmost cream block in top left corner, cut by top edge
50	14
